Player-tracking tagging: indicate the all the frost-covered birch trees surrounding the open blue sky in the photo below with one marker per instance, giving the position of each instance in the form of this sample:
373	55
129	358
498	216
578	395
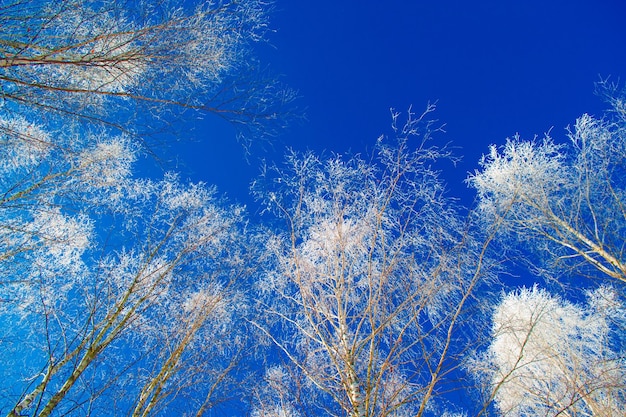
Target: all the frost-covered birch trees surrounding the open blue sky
353	284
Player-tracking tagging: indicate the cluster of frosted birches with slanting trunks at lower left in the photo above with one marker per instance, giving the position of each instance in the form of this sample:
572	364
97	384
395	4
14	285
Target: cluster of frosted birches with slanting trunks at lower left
117	293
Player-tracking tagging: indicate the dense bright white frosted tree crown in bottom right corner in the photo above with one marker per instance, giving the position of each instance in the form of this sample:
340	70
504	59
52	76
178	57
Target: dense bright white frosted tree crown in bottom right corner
550	357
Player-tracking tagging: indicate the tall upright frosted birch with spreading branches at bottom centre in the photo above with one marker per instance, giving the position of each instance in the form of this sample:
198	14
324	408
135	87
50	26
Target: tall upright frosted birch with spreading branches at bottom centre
366	293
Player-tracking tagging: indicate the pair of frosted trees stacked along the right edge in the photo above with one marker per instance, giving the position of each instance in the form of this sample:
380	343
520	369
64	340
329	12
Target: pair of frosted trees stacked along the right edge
567	203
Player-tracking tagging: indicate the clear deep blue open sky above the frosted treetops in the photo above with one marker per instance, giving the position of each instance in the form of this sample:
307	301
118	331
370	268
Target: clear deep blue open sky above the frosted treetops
495	68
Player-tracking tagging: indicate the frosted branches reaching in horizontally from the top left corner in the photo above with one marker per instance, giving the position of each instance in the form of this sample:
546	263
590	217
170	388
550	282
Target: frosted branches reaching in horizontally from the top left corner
86	46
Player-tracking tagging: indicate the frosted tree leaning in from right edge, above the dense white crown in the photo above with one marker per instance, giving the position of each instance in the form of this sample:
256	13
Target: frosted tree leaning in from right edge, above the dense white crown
570	197
